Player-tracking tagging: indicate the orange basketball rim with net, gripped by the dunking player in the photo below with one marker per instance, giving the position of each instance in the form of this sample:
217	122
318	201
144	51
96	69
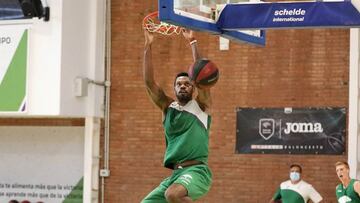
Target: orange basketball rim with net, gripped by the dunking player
152	23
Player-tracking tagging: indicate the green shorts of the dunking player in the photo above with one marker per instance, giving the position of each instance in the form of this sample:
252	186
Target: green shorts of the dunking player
196	179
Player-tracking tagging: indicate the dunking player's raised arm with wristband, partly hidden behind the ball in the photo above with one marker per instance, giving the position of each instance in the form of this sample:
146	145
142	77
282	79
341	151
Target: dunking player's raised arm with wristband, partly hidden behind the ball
204	96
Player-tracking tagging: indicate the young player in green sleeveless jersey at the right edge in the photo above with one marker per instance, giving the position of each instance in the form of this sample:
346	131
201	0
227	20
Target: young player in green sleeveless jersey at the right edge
348	190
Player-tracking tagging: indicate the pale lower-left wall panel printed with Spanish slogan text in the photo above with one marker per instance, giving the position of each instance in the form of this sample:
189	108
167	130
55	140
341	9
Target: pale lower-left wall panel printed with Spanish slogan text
34	155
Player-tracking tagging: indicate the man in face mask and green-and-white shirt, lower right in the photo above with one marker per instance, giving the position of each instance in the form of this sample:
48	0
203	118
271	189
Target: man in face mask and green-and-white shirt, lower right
296	190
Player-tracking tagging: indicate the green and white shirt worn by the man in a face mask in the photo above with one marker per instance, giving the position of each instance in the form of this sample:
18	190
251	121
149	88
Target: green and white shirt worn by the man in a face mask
300	192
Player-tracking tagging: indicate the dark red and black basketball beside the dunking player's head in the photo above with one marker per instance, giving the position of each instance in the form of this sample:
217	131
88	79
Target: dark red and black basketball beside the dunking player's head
204	73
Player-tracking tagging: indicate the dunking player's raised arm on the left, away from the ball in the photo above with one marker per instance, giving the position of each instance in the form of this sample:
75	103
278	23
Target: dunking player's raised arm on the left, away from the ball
156	93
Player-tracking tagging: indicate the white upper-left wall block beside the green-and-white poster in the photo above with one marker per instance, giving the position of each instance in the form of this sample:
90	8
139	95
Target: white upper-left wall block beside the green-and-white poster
70	45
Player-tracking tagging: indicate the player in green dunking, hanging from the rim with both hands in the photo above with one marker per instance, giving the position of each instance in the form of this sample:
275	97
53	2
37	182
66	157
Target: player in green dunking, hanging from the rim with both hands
186	123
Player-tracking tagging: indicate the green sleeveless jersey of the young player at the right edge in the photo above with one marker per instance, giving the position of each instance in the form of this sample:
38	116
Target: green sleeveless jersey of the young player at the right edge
347	195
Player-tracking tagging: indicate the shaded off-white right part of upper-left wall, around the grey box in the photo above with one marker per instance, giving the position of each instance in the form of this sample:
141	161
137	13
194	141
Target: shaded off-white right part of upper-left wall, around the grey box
82	55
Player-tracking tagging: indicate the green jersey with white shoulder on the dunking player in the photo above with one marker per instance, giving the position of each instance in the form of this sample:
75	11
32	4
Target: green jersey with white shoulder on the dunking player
186	133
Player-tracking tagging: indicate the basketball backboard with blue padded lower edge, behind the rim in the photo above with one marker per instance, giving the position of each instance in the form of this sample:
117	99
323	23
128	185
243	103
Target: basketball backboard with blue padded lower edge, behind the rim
201	15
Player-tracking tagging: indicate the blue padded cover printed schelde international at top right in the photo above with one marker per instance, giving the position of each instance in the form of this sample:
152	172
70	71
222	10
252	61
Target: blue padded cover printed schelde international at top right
288	15
